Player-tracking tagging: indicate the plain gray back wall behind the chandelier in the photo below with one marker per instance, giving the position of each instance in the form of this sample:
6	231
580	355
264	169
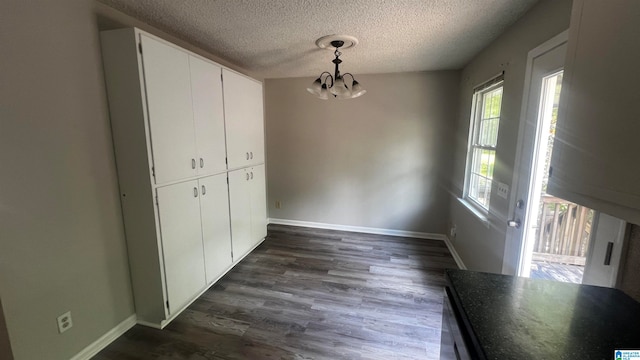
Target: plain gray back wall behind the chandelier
382	160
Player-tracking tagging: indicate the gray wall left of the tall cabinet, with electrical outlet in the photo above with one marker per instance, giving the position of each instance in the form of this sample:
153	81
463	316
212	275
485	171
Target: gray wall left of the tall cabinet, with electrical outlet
62	244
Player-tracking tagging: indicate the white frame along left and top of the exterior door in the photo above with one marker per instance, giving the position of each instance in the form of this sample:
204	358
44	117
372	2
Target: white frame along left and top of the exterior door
514	237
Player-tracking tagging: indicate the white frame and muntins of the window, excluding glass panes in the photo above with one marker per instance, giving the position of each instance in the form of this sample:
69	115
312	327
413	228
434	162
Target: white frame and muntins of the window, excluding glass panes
473	144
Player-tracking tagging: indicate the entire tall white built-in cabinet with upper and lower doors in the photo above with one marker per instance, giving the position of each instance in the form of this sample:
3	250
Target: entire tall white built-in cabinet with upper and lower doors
180	123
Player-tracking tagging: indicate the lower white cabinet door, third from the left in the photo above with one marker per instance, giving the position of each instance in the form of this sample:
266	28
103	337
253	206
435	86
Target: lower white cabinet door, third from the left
240	211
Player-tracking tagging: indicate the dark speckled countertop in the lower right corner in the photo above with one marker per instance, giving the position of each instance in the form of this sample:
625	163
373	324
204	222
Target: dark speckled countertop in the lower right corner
509	317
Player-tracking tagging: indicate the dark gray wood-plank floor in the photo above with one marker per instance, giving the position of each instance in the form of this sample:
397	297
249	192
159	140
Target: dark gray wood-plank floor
310	294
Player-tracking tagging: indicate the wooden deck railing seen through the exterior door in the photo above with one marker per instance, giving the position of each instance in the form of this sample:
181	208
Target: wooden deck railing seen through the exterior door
564	233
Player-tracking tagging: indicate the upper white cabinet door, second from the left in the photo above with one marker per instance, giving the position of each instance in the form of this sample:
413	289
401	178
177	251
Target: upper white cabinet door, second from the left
208	116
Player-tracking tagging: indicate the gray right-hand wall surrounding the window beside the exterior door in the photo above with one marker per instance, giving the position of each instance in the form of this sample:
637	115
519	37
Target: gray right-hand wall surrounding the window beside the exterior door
481	247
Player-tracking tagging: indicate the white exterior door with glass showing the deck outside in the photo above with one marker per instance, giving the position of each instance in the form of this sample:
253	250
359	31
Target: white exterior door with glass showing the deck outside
587	250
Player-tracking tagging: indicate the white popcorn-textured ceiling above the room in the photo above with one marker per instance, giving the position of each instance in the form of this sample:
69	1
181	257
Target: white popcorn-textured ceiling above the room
276	38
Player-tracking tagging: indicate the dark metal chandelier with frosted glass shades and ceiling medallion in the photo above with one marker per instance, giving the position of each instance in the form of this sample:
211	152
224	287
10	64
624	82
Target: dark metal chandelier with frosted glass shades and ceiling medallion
335	84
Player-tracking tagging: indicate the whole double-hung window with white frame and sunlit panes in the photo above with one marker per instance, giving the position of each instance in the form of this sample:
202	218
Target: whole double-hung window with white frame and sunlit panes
483	138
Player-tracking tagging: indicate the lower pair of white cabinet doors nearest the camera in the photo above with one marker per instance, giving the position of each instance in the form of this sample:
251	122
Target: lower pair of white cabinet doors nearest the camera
196	238
